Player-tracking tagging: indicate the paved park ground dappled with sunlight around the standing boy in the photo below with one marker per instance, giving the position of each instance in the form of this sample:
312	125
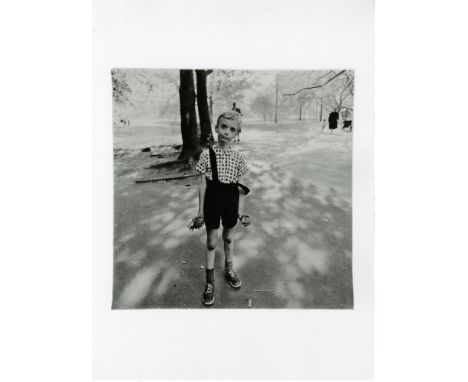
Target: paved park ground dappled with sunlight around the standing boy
296	254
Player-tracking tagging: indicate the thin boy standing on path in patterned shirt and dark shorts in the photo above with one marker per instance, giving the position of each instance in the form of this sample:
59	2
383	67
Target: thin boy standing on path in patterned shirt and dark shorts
219	198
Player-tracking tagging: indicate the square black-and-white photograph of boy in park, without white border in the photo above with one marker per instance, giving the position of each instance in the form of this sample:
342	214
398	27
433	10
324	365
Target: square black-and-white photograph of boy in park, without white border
232	188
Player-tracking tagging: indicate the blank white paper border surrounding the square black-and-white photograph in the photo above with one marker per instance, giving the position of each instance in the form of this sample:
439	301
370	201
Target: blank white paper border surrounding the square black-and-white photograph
271	344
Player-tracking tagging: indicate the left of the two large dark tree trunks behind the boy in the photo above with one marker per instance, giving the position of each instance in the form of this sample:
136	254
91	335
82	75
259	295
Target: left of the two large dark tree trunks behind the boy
188	118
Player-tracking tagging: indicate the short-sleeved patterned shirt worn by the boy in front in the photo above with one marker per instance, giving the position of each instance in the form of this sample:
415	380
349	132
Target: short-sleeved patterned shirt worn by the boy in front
230	163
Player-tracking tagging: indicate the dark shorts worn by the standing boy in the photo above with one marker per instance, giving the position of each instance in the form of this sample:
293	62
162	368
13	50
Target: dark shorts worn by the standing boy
221	202
